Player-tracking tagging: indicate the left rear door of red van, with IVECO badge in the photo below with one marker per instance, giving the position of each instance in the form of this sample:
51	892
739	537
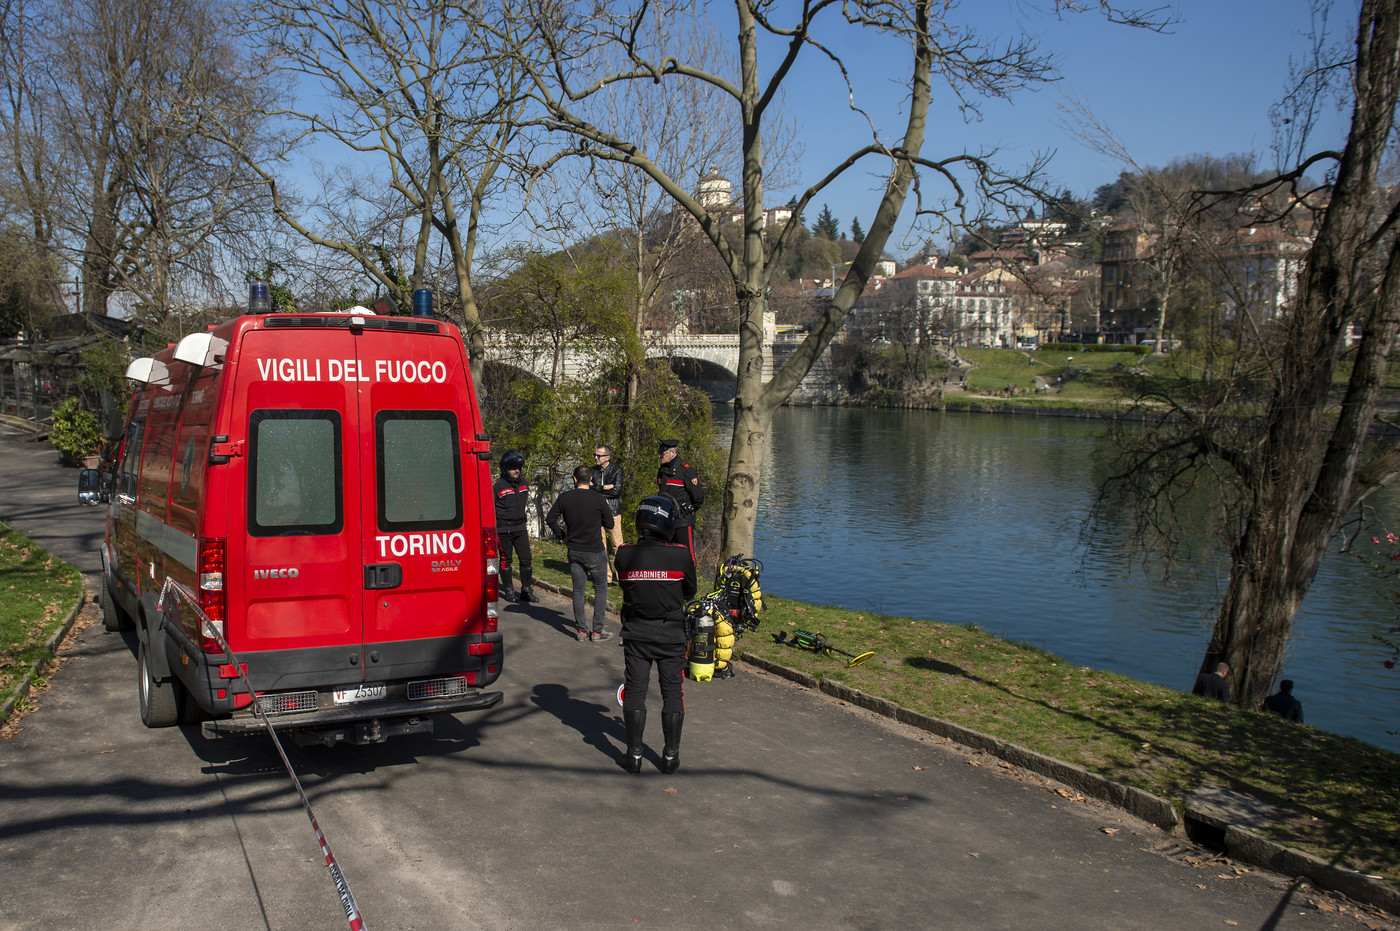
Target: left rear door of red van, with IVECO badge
295	533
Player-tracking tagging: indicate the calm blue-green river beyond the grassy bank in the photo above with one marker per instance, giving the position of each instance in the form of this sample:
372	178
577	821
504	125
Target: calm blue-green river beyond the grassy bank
976	520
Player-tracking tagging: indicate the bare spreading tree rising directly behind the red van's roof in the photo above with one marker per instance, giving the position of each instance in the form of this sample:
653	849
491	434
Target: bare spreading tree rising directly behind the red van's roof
408	89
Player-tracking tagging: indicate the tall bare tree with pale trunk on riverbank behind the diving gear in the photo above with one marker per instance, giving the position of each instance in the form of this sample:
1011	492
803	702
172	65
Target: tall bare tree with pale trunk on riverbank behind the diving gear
562	73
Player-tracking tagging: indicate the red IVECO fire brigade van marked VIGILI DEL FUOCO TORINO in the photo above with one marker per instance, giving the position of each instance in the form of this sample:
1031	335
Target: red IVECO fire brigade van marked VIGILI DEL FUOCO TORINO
320	485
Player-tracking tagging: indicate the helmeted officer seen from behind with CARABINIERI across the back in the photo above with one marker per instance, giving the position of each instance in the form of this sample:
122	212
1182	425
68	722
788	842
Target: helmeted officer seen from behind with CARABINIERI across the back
657	579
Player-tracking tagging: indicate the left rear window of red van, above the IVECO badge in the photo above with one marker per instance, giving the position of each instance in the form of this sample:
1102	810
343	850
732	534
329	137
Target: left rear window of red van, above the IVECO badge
295	484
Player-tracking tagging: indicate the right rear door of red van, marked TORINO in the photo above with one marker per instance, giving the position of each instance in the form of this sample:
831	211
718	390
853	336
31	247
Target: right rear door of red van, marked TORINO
423	545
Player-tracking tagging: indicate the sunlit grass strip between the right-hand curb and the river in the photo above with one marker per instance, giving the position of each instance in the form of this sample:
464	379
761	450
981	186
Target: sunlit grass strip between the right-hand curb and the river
1342	796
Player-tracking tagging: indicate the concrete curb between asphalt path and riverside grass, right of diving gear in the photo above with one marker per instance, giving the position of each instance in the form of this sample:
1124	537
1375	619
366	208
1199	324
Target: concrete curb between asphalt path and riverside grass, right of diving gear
1240	843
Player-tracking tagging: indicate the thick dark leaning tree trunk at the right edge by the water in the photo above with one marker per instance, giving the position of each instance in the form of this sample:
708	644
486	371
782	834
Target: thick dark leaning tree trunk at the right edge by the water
1305	474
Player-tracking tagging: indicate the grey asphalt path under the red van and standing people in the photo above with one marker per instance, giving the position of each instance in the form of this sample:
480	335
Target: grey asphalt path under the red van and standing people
790	810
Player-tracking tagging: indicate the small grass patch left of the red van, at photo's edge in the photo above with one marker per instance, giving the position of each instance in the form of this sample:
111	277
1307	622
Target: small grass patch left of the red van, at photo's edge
37	591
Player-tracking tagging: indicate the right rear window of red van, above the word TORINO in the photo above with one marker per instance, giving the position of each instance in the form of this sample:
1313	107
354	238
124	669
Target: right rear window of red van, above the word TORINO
419	471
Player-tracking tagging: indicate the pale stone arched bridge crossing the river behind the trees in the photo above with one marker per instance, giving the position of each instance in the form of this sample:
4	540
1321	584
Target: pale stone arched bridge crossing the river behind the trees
709	362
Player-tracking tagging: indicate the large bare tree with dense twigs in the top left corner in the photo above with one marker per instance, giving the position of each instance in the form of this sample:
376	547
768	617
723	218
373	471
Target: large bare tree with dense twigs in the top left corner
106	103
